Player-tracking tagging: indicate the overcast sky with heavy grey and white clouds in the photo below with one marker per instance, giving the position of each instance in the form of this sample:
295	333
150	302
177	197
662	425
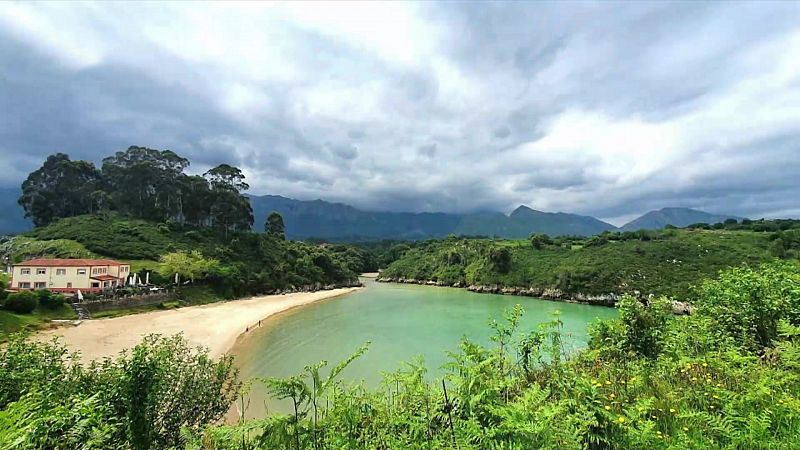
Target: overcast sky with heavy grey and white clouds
604	109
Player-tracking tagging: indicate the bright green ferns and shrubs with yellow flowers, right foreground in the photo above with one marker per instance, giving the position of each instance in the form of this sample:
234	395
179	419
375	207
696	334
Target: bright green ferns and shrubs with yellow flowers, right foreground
649	380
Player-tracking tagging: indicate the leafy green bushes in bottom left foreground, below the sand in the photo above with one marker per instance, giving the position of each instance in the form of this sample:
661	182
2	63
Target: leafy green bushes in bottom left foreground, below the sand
143	399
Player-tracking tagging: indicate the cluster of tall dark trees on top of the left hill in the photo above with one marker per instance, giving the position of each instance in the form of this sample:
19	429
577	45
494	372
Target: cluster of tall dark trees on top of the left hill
140	182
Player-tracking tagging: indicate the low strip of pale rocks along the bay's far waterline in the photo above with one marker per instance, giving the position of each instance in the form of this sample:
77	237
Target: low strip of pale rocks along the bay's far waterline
610	299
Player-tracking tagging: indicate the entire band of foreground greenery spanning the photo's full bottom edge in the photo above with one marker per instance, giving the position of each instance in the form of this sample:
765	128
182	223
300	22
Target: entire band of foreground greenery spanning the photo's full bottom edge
649	380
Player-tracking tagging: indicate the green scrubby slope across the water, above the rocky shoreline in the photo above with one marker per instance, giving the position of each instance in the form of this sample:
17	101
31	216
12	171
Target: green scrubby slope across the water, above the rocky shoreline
667	265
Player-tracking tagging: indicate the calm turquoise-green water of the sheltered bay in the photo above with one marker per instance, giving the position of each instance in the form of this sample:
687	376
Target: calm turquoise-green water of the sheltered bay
401	321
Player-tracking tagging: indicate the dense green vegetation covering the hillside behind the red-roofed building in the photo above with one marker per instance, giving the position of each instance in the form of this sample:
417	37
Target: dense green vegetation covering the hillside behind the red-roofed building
246	263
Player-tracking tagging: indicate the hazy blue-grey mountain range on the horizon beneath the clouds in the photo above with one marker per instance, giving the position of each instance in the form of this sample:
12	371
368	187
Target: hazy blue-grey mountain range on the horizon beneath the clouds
341	222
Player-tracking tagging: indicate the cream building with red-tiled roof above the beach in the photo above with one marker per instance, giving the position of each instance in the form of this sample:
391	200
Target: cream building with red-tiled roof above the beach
69	275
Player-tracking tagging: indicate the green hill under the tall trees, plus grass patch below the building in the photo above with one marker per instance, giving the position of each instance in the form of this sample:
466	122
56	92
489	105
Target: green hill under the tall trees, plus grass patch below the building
249	263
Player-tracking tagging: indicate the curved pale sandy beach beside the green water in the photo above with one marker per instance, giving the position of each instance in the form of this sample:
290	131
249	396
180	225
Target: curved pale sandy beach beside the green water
216	326
